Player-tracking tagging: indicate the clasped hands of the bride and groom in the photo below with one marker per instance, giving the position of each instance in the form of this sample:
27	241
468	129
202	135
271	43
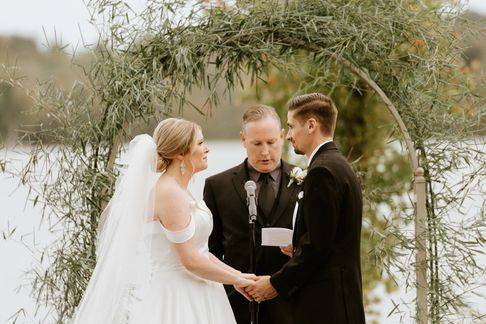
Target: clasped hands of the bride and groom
256	288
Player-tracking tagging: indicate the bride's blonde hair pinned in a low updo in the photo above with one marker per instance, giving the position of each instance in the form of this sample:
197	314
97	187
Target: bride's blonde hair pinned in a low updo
173	136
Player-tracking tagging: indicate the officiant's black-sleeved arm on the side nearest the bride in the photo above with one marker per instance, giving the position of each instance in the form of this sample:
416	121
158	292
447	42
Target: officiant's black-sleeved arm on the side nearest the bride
216	238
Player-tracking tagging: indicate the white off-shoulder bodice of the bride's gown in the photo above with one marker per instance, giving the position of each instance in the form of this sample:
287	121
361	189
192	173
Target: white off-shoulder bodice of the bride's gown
162	241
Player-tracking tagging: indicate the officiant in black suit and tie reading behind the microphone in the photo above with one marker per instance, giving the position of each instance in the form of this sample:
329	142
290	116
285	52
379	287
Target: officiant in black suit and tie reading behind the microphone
263	138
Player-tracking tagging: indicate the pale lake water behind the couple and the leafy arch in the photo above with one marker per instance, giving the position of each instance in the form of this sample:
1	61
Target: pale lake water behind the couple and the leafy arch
19	253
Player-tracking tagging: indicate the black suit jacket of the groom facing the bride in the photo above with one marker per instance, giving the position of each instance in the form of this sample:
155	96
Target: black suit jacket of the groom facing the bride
323	278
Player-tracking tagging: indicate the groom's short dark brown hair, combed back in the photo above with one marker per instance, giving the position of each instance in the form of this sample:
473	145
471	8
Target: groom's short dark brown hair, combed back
316	105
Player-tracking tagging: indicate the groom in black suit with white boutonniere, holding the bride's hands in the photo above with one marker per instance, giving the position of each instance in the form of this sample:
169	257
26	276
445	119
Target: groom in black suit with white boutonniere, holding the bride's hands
322	279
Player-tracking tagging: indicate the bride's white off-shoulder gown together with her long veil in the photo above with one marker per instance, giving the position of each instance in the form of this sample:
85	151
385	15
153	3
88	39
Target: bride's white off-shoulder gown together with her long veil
138	277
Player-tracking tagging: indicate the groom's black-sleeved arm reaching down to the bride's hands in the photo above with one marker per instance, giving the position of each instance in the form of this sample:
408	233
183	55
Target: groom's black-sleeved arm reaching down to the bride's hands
321	217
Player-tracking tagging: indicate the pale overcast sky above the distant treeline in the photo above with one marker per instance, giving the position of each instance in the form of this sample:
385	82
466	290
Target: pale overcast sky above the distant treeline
68	19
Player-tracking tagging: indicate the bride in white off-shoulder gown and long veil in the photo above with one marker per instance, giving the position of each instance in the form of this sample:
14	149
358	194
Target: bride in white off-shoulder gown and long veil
153	263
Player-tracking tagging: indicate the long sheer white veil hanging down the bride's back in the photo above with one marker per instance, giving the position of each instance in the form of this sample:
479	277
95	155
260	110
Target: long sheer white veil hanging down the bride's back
123	253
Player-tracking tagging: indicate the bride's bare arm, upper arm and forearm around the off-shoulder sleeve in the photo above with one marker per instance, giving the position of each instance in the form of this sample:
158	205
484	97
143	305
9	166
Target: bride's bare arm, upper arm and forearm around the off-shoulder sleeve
174	212
